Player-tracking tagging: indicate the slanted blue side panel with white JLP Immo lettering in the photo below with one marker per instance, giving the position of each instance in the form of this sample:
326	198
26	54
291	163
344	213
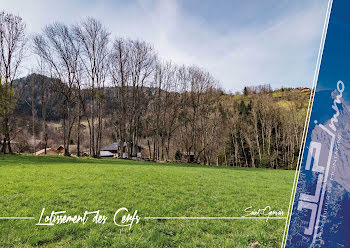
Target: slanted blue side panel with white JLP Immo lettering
321	209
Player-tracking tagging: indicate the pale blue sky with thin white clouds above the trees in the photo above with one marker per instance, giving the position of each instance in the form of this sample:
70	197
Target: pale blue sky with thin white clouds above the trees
241	43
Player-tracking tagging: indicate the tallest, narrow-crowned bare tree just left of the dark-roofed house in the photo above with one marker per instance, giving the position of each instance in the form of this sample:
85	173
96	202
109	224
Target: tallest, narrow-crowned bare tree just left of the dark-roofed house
94	39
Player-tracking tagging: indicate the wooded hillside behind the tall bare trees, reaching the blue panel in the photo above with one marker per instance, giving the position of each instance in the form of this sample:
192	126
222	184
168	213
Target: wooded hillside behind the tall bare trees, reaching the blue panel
258	128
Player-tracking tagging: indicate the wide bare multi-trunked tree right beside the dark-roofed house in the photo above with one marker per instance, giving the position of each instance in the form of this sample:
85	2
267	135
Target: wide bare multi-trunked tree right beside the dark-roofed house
132	65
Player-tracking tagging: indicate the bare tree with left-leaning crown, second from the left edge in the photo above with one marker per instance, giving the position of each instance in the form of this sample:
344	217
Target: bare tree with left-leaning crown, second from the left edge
58	47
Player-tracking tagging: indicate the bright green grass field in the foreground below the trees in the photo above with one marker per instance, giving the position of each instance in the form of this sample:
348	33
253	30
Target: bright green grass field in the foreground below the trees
29	183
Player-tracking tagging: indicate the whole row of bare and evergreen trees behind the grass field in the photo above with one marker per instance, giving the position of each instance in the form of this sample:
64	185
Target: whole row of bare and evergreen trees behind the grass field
126	94
